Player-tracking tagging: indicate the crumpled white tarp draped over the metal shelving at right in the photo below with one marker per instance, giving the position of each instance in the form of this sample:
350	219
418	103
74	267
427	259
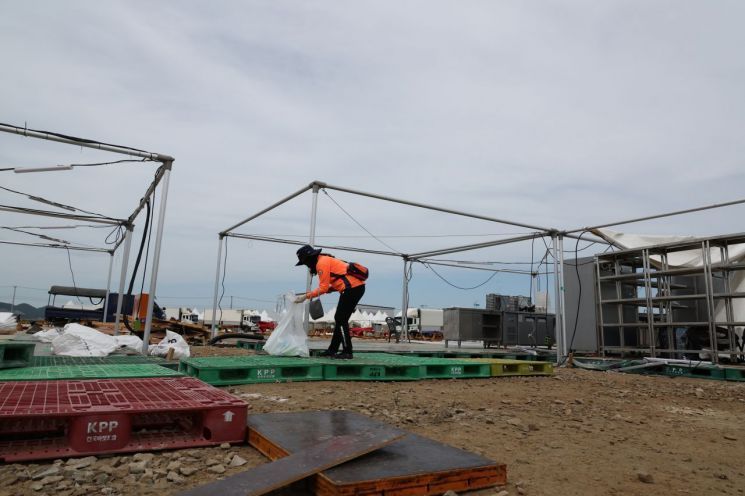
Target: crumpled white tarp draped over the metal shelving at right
688	258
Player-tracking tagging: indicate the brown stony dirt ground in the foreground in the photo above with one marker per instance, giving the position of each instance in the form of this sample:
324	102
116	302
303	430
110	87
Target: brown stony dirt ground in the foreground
577	433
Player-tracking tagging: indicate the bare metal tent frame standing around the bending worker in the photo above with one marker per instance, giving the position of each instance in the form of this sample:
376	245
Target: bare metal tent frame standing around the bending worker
408	259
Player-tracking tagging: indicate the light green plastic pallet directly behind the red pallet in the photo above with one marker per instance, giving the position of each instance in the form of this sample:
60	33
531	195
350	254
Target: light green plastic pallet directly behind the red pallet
55	372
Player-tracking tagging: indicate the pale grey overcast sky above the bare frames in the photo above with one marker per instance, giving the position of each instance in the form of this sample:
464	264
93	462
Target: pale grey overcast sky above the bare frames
556	114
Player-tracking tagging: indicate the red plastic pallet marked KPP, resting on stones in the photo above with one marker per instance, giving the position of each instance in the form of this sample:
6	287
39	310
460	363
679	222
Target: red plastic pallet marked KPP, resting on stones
53	419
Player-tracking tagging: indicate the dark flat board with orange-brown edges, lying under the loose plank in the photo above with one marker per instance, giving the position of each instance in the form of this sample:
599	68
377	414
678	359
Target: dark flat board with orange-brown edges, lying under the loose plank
411	465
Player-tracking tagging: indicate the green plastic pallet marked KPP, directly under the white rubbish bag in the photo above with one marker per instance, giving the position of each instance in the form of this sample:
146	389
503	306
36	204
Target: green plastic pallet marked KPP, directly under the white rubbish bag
226	371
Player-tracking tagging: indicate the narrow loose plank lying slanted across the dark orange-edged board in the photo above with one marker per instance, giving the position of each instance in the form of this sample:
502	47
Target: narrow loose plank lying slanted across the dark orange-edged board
304	463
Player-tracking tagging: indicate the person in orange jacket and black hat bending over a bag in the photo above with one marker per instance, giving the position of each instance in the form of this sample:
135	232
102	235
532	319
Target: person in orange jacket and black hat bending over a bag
334	275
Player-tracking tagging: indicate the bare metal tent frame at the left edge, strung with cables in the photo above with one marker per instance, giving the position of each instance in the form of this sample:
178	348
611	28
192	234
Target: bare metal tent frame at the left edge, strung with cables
162	176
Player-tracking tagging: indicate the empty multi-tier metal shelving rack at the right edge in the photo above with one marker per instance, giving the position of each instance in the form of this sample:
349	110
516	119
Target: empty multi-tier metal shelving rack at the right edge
647	272
